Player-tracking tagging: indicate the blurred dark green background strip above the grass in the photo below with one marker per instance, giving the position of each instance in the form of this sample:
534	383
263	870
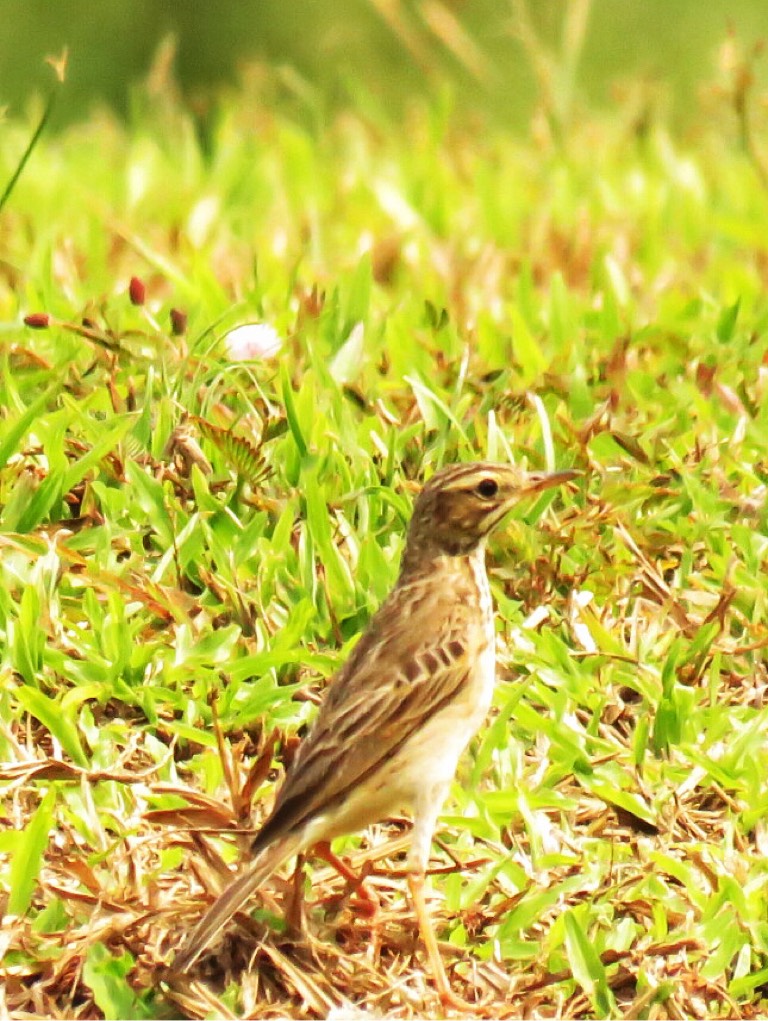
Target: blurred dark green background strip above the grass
495	54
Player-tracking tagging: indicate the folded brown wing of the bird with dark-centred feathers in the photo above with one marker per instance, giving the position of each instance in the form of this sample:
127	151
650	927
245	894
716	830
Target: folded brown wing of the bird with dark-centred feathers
411	662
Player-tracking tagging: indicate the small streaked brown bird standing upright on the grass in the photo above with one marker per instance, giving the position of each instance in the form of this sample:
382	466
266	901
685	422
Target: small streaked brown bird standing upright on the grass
399	714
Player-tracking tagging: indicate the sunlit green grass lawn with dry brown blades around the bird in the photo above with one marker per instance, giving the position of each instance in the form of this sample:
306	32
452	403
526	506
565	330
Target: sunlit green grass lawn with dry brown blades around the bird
189	546
